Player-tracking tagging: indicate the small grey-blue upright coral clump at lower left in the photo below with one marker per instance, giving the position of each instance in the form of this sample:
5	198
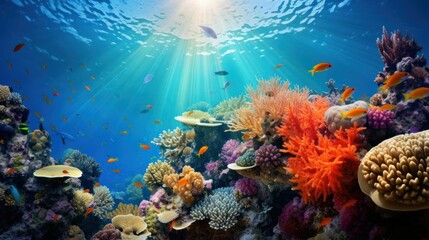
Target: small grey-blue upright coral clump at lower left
103	202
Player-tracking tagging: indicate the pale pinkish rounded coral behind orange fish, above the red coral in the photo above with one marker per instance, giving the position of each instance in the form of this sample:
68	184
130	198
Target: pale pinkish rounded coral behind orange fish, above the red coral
333	116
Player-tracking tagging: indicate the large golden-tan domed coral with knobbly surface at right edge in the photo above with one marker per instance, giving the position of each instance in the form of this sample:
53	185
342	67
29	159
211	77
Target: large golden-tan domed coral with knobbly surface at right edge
395	173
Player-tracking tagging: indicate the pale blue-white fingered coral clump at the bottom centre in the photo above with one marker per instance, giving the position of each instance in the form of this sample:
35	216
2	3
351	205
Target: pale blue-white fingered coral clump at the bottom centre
220	208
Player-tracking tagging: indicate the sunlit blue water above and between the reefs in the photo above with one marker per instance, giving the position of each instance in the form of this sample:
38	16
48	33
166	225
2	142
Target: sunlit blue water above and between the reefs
118	43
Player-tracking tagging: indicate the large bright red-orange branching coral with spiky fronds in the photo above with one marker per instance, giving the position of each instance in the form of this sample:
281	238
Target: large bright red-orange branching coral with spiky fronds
321	165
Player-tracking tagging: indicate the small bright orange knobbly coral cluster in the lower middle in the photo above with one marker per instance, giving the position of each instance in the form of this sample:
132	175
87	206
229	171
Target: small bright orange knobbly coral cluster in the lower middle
191	185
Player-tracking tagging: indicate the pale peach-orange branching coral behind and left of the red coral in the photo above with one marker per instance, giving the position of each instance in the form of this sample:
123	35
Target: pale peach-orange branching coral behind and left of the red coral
260	118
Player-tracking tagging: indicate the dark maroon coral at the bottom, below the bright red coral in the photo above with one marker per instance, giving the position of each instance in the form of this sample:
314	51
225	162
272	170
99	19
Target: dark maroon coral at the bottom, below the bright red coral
297	220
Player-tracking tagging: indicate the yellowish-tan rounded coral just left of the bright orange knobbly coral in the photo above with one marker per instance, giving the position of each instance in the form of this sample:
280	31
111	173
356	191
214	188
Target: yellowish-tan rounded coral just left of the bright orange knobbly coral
155	173
